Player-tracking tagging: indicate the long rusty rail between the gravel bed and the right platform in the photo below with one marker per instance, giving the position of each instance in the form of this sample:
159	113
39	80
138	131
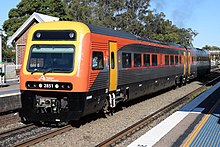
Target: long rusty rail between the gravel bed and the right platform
119	137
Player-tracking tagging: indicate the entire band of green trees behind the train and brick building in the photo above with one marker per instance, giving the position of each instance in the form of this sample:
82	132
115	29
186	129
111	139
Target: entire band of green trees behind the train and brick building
132	16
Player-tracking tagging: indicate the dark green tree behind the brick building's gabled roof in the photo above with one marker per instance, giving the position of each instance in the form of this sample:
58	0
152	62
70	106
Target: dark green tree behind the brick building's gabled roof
17	16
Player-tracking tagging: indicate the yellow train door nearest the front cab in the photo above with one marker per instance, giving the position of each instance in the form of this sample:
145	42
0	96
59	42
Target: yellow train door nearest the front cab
113	67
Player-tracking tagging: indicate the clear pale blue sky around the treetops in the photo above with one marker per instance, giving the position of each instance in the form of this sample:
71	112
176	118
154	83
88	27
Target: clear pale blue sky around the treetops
203	16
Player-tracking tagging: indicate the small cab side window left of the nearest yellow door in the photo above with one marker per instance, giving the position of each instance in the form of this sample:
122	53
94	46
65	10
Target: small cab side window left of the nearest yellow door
97	61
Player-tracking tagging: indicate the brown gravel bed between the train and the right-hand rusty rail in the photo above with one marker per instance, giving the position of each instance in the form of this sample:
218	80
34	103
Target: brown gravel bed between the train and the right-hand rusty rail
97	130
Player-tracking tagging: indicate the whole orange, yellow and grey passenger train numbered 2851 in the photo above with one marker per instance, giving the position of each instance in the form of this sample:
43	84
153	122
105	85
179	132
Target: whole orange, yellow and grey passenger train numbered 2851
73	69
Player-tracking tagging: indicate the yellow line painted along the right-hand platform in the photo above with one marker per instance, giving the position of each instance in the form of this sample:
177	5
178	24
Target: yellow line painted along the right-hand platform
199	127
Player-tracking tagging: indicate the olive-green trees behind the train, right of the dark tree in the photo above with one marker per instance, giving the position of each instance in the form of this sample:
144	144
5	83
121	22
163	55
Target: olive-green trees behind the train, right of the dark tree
132	16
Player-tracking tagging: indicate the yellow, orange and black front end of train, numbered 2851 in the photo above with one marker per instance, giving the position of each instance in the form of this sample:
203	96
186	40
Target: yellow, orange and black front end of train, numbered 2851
53	78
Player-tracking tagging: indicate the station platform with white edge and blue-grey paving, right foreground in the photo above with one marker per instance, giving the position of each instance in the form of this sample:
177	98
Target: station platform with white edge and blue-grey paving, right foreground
197	124
